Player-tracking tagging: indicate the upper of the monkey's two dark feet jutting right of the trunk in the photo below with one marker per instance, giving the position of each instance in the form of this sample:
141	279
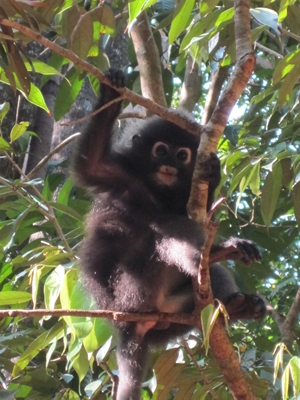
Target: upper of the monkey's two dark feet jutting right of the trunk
235	249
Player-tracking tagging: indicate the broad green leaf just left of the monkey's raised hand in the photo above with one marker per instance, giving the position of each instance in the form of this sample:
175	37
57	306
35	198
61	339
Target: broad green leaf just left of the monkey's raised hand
67	93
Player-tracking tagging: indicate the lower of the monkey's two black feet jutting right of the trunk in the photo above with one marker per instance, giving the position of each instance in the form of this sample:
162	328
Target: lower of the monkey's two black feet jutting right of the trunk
245	306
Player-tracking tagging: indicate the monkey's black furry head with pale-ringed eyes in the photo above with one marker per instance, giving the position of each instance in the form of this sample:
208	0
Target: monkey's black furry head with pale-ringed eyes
163	156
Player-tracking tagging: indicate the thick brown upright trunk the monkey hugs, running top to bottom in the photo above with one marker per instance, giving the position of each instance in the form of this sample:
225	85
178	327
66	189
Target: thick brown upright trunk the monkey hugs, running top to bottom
219	342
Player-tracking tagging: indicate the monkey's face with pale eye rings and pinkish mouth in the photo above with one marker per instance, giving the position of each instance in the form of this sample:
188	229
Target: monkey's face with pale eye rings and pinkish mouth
170	163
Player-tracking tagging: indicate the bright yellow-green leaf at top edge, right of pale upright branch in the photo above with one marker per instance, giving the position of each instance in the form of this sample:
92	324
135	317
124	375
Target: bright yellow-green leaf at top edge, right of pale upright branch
182	16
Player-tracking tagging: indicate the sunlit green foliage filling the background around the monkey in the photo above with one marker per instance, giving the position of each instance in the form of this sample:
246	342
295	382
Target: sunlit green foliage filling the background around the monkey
42	222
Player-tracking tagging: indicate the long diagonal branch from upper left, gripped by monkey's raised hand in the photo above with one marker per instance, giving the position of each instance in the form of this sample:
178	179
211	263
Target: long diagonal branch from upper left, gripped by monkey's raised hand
170	115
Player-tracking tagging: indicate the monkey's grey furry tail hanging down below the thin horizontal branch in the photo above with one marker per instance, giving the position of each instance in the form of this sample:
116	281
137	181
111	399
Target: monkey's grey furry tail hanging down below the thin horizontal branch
132	355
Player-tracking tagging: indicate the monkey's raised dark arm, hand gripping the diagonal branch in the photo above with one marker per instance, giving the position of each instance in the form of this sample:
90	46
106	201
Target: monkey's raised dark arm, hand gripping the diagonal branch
94	142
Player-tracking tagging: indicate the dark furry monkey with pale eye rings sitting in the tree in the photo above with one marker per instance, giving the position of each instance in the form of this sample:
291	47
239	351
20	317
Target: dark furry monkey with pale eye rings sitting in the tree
141	249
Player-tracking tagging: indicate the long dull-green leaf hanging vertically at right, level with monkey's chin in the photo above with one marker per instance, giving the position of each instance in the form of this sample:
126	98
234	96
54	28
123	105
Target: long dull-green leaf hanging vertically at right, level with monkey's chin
270	193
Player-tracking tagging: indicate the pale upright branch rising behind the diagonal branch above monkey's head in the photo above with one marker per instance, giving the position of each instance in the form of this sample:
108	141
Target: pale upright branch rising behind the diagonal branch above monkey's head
148	60
